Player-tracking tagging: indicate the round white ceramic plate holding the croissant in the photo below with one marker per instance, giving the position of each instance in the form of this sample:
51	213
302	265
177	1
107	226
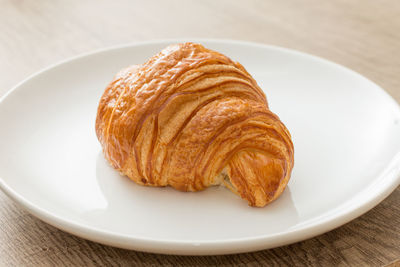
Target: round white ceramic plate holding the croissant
345	131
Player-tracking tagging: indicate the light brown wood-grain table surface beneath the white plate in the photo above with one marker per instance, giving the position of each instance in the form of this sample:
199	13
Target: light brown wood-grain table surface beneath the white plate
363	35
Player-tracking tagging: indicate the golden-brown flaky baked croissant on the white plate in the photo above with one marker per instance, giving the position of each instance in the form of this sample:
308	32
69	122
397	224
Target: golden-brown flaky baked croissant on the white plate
192	118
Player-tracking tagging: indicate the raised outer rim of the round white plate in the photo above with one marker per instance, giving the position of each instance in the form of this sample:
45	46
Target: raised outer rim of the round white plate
391	177
